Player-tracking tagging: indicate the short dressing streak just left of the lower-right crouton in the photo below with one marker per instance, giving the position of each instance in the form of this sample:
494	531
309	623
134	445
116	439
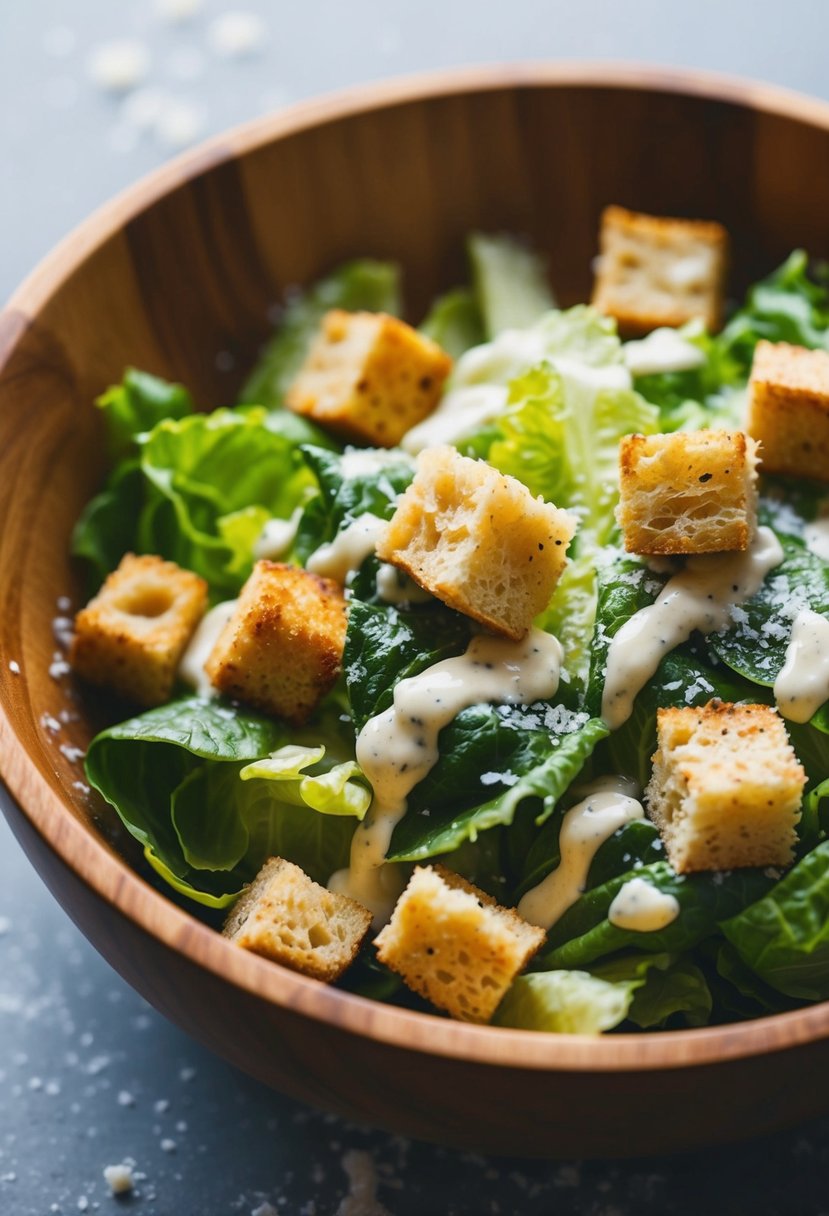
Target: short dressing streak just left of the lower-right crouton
585	827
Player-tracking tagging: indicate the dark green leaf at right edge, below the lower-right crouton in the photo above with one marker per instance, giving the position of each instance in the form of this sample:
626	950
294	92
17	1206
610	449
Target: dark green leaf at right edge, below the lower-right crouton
785	937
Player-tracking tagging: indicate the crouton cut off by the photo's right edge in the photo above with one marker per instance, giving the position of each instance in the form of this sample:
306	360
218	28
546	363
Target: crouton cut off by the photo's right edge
789	409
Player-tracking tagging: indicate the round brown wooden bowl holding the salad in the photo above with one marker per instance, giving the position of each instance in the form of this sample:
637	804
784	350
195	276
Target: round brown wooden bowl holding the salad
183	268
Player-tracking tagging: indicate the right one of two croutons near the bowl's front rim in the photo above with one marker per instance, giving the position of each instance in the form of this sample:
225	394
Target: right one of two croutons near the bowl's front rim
454	945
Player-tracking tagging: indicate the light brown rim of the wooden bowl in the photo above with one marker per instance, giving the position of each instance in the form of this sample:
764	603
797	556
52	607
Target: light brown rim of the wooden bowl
117	883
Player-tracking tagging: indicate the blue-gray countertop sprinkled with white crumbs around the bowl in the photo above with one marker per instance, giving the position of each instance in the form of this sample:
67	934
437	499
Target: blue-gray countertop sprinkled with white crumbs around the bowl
89	1074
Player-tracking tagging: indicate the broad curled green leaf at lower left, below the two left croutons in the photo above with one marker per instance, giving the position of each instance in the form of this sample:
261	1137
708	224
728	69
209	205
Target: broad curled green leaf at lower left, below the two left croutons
176	778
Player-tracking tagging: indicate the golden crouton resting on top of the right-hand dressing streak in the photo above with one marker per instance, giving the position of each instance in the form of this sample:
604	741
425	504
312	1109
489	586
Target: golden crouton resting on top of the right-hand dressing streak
689	492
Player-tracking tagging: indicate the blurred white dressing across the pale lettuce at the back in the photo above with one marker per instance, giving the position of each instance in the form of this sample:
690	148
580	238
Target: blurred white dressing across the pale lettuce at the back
478	390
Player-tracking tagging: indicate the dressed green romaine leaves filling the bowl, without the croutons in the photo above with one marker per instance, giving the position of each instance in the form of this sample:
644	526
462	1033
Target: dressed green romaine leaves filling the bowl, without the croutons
213	789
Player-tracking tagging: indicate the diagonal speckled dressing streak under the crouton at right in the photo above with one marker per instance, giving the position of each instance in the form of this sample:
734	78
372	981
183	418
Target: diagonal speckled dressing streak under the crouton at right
700	598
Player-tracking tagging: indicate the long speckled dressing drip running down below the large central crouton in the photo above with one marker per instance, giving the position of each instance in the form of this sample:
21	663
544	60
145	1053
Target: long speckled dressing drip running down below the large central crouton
398	748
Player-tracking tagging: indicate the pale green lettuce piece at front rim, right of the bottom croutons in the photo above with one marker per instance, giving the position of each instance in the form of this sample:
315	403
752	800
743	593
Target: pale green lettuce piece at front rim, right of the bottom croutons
566	1003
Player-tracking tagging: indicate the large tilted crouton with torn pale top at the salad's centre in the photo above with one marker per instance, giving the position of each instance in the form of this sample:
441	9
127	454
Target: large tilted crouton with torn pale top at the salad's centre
478	541
